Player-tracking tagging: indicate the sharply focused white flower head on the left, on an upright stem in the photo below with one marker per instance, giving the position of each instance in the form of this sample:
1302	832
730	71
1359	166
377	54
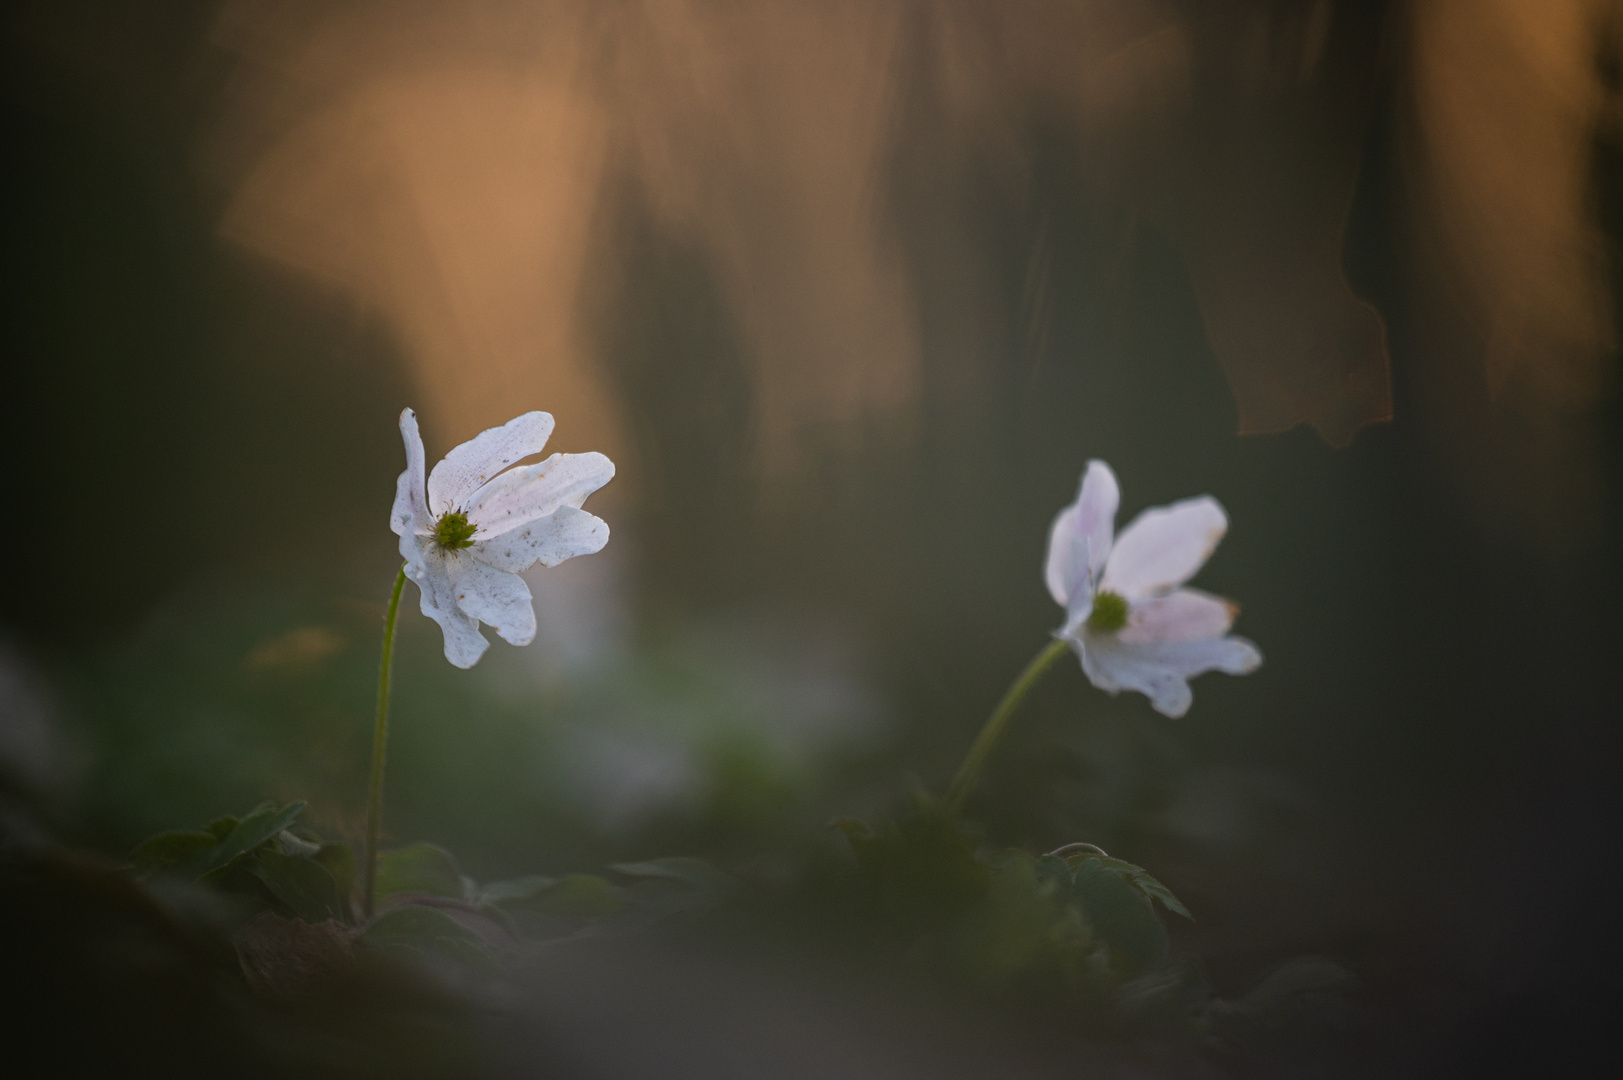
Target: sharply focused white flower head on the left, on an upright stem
470	532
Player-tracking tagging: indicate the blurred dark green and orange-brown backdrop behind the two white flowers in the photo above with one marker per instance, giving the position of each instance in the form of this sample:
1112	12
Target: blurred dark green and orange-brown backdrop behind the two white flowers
851	292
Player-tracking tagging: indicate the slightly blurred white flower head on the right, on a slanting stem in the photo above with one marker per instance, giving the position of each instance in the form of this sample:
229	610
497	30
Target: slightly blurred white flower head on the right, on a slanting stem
1126	616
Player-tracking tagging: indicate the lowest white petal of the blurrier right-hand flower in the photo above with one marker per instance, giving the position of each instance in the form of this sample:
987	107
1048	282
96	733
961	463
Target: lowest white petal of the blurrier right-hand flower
1161	672
